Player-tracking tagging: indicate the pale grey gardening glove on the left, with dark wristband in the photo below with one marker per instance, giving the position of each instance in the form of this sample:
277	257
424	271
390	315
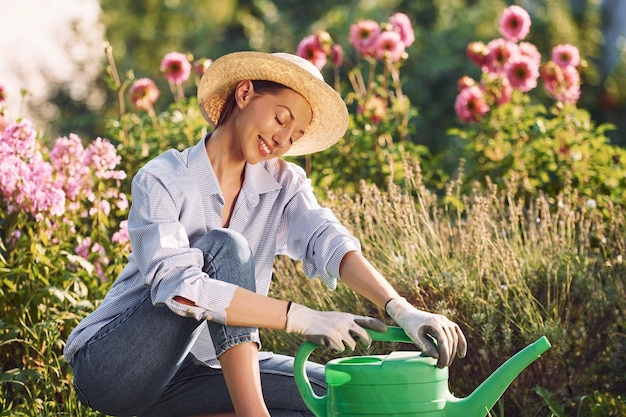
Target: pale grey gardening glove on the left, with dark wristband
331	328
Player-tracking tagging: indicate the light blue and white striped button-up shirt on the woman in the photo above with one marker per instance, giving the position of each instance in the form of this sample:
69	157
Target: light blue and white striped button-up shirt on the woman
176	200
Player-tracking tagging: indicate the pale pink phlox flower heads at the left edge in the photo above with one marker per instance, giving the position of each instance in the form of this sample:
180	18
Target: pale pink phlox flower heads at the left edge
29	183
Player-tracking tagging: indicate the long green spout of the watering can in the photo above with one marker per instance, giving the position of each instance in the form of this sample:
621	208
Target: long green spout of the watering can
478	403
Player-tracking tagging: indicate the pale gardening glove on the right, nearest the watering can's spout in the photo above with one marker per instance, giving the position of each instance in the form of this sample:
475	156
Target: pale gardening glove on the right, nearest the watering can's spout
434	334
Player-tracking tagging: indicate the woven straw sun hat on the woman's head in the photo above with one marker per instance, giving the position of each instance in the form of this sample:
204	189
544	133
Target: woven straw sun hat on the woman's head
330	115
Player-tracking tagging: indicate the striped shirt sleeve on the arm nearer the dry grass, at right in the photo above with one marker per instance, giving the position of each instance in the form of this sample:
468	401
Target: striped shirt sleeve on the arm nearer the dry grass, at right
316	236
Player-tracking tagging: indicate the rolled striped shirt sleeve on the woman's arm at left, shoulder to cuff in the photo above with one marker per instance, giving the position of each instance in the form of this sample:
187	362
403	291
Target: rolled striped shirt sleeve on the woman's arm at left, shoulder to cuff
167	263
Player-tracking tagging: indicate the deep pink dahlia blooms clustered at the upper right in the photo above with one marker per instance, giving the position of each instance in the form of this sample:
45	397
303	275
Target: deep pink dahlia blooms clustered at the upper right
509	64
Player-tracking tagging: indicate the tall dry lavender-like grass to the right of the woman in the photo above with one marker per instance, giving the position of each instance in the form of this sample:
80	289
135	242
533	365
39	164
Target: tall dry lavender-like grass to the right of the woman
508	269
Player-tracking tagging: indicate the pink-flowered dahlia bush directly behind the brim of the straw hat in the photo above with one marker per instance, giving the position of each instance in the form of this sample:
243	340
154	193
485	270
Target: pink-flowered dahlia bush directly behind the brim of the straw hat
380	126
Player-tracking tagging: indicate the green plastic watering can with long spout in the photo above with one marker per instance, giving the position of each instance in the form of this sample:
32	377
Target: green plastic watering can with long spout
402	383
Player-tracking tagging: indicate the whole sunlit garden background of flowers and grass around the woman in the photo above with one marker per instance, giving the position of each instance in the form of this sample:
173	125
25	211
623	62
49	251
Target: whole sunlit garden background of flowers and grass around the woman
502	208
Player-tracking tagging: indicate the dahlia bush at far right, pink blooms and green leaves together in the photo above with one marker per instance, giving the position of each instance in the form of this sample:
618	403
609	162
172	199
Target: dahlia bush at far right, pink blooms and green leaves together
511	135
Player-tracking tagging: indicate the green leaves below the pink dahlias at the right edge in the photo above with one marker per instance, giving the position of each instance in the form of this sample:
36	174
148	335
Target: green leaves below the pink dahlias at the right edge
544	149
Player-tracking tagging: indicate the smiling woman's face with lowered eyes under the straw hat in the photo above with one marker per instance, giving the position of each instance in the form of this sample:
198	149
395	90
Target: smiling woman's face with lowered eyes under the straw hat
267	124
